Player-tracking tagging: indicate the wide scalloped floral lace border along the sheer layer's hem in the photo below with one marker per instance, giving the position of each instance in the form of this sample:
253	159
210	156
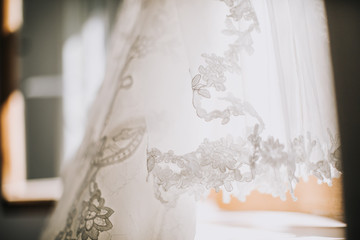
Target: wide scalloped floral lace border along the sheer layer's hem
264	165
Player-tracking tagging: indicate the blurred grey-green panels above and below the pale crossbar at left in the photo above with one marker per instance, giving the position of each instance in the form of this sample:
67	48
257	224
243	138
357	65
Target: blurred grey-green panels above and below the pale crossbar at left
41	40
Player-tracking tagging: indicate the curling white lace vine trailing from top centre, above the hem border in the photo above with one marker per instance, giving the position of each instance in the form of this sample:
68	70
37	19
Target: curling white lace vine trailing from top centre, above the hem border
240	23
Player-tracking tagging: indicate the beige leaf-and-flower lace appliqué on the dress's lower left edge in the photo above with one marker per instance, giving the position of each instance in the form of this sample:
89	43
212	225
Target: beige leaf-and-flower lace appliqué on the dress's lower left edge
88	219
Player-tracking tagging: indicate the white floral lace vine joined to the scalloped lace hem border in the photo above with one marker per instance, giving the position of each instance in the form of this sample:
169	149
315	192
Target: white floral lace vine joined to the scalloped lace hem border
226	163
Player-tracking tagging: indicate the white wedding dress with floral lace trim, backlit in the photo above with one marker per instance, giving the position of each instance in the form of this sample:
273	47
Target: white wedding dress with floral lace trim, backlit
231	95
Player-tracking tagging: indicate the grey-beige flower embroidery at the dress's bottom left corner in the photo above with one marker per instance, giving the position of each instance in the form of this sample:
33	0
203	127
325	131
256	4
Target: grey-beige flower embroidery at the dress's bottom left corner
94	216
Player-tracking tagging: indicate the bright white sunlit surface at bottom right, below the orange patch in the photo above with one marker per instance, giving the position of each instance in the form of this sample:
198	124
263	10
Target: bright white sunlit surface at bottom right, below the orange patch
213	223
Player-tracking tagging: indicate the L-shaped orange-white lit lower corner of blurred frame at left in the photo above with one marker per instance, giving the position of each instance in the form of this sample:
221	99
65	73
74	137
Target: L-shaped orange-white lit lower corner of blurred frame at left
14	186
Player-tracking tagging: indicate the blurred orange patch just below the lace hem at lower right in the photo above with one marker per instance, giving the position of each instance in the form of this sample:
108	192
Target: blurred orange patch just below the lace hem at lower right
314	198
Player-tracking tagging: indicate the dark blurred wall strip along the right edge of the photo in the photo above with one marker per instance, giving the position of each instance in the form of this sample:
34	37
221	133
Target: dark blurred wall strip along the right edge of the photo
344	27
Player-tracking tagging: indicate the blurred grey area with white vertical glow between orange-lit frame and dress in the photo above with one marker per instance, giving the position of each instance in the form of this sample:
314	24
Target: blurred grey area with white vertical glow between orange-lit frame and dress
61	51
